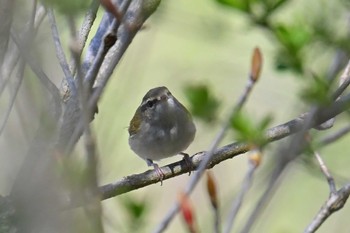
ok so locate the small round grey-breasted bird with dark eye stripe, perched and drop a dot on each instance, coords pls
(161, 127)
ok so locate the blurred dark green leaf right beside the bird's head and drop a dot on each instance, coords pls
(203, 104)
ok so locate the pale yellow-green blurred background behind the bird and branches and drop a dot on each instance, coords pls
(200, 42)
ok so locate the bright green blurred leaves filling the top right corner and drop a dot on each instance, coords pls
(294, 41)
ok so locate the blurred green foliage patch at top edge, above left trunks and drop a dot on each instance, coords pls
(70, 7)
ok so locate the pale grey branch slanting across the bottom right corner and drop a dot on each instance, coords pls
(335, 202)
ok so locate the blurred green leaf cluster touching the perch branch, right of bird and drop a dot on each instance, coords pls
(250, 131)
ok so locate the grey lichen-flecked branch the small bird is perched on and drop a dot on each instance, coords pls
(149, 177)
